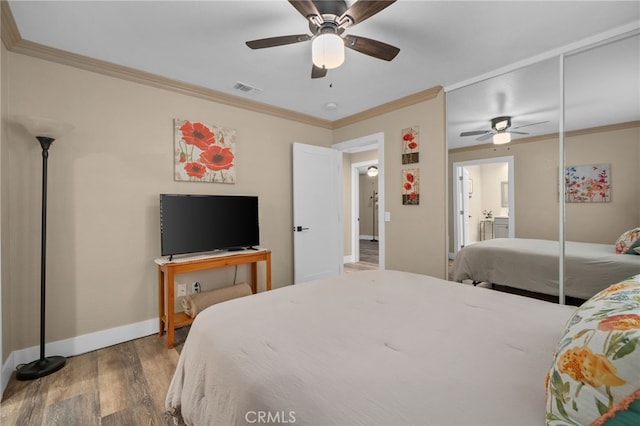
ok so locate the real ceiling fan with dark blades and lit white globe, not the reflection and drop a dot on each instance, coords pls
(328, 20)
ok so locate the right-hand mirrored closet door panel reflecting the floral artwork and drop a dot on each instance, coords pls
(602, 153)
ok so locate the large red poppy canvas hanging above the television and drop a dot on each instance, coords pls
(204, 152)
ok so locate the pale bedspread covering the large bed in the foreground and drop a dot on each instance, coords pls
(367, 348)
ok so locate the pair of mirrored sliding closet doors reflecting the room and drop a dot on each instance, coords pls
(516, 249)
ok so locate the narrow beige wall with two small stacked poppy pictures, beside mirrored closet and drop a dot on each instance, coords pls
(415, 236)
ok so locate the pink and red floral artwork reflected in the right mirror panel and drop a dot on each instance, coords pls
(587, 184)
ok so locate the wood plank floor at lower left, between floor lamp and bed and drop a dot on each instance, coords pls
(124, 384)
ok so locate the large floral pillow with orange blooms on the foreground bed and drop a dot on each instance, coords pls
(595, 375)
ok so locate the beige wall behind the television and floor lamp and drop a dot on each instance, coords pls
(104, 182)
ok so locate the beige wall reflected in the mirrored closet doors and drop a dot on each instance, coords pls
(536, 183)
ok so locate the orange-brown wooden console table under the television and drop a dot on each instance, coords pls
(167, 270)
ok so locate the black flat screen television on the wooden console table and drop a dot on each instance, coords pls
(201, 223)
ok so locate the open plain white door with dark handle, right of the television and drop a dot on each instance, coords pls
(317, 211)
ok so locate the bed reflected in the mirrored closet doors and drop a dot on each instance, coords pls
(532, 265)
